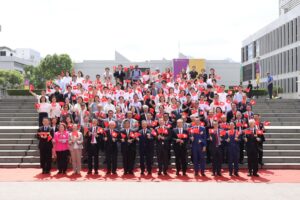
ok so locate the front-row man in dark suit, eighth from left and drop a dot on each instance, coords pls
(163, 145)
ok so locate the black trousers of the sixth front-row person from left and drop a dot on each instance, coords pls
(128, 154)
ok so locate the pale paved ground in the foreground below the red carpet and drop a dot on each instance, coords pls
(144, 191)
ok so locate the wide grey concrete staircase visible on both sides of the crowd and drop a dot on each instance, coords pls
(18, 125)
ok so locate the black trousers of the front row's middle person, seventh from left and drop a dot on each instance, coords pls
(146, 156)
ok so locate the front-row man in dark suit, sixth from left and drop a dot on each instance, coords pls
(128, 147)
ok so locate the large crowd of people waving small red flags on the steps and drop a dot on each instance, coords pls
(152, 116)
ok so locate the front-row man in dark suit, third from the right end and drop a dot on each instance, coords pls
(216, 149)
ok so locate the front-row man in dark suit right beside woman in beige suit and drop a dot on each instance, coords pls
(93, 143)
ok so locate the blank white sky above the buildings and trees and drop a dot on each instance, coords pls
(138, 29)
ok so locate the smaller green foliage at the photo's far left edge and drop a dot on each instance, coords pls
(11, 79)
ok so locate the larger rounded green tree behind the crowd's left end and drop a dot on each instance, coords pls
(48, 69)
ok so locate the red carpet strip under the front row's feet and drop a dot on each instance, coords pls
(266, 176)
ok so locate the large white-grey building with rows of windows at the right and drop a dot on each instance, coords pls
(276, 49)
